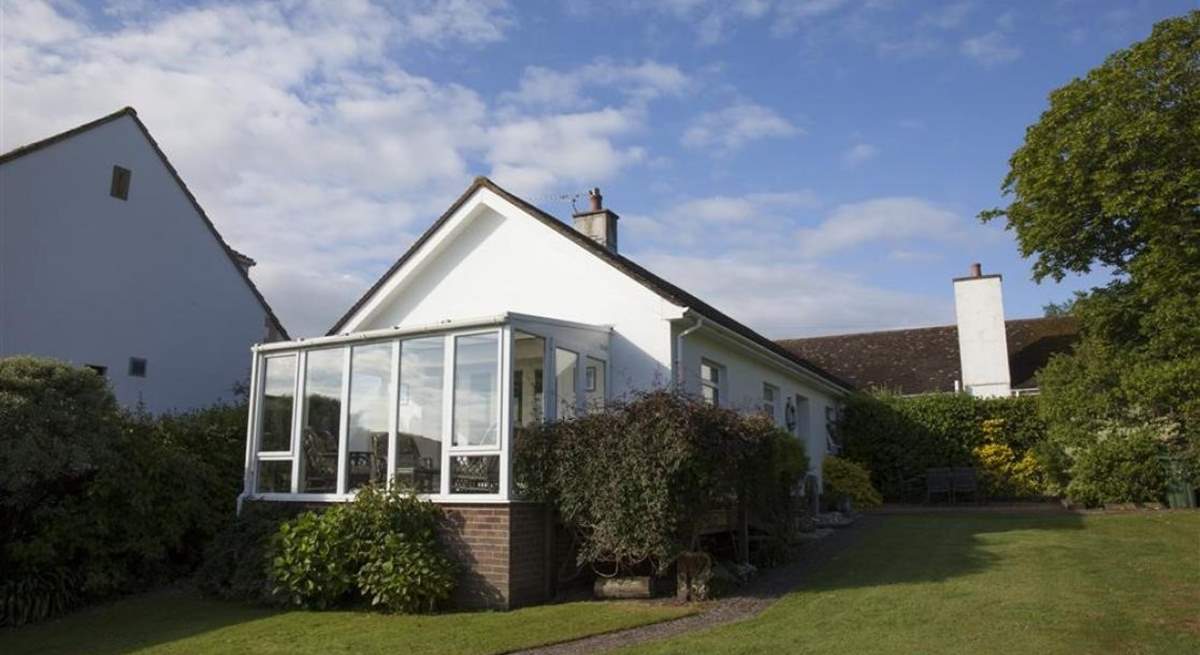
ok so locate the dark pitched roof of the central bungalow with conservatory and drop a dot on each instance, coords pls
(659, 286)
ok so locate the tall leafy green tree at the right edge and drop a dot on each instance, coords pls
(1109, 178)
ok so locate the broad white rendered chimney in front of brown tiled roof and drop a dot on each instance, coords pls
(983, 347)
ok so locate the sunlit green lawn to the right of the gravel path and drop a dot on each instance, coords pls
(1097, 584)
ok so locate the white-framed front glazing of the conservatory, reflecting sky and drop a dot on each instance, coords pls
(406, 410)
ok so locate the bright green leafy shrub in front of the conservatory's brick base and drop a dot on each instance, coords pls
(382, 548)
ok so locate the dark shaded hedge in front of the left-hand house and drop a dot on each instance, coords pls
(95, 501)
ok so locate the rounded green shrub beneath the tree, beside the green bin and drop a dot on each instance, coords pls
(1123, 466)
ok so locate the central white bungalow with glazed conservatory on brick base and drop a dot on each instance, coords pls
(501, 316)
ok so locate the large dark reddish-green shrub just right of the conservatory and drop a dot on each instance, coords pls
(637, 482)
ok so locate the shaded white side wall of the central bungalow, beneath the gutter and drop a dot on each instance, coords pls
(742, 389)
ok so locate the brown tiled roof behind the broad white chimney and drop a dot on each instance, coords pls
(927, 359)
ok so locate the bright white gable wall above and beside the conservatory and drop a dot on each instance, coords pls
(494, 260)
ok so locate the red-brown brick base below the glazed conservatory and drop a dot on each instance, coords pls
(502, 551)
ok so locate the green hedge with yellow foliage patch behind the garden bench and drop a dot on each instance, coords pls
(899, 437)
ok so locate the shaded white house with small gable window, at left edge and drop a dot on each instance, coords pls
(107, 261)
